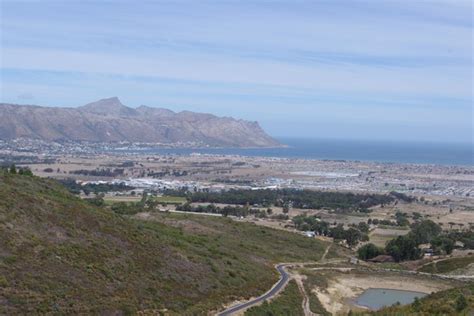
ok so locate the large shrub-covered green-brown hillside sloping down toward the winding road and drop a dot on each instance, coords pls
(59, 254)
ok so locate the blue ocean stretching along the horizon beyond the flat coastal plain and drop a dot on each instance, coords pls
(324, 149)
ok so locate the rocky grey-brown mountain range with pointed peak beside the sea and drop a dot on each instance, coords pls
(108, 120)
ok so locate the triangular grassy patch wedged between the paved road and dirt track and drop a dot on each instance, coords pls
(287, 303)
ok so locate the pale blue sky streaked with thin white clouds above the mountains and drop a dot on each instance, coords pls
(377, 70)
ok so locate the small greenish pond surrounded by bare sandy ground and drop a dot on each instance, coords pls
(378, 298)
